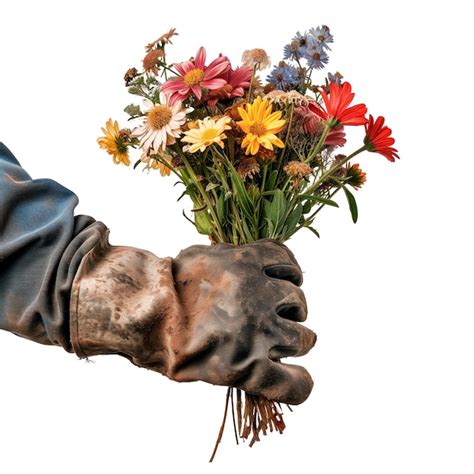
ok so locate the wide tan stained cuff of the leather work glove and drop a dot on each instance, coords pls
(122, 301)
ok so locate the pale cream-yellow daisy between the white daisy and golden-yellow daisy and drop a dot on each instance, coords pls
(208, 131)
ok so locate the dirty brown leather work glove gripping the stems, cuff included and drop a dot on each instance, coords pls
(222, 314)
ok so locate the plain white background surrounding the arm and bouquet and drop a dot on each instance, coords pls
(390, 297)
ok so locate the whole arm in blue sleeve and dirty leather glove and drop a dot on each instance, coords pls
(222, 314)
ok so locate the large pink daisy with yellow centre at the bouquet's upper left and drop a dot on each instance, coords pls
(194, 75)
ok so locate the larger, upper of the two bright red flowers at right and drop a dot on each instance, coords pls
(337, 111)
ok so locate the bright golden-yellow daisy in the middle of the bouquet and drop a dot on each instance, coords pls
(260, 126)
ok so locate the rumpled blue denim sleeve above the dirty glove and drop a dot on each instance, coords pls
(41, 246)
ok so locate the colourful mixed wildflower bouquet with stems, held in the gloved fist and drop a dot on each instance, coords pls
(257, 158)
